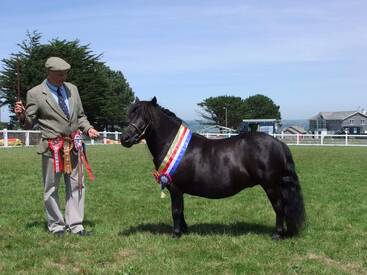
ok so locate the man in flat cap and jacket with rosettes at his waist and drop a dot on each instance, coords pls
(56, 107)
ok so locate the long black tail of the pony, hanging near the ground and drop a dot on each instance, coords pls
(294, 208)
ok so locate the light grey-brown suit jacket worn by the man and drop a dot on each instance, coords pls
(43, 109)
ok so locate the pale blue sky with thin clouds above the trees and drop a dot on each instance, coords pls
(307, 56)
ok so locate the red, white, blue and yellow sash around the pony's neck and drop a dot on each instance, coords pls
(173, 157)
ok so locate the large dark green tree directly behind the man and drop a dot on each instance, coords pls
(105, 93)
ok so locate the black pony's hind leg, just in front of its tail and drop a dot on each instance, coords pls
(275, 197)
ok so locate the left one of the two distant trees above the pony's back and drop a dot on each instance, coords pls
(215, 110)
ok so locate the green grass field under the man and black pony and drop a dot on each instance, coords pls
(132, 225)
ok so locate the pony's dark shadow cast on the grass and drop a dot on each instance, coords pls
(235, 229)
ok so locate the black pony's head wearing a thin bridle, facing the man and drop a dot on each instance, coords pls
(139, 120)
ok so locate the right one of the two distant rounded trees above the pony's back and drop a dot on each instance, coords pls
(260, 107)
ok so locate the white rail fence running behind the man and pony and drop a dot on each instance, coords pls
(10, 138)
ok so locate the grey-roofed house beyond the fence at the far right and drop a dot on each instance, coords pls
(352, 122)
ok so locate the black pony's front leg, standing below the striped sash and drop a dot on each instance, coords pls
(177, 204)
